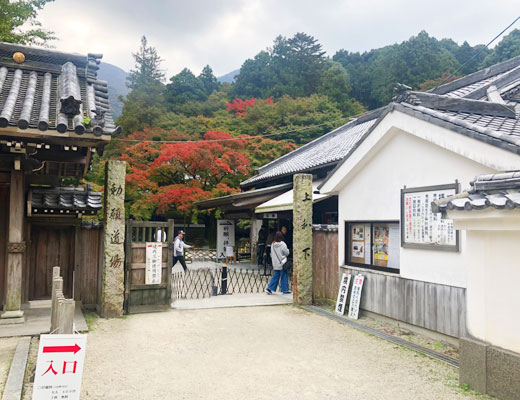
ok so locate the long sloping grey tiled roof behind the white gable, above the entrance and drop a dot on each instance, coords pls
(326, 150)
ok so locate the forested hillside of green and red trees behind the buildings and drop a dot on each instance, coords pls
(194, 137)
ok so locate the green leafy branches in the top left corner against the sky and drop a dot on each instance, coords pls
(15, 14)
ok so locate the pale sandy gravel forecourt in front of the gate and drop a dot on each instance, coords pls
(277, 352)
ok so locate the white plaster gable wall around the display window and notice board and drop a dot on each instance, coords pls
(372, 193)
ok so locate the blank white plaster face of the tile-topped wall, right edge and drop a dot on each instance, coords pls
(493, 295)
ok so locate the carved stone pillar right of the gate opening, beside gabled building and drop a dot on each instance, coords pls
(302, 239)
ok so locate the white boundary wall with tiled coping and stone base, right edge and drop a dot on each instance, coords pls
(489, 213)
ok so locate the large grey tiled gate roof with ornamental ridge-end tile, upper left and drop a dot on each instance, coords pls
(49, 90)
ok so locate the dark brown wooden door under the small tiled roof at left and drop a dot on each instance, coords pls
(50, 246)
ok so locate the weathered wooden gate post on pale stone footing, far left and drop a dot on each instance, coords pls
(15, 251)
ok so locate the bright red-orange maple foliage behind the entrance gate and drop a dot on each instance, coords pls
(180, 174)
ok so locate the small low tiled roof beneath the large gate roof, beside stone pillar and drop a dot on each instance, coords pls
(64, 200)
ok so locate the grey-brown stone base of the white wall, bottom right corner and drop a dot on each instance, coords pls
(489, 370)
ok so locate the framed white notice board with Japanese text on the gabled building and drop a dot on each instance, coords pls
(420, 227)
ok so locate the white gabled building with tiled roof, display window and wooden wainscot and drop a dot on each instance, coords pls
(419, 149)
